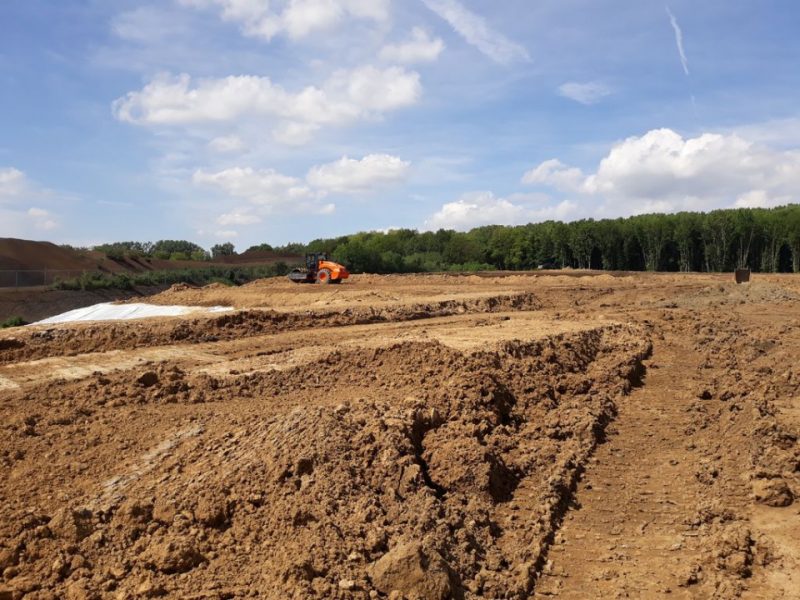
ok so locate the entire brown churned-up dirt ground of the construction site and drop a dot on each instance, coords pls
(578, 435)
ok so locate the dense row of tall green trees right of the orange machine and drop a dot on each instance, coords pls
(766, 240)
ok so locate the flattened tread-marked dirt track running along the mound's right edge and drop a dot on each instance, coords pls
(627, 535)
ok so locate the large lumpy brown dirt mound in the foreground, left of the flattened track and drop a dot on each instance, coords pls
(423, 473)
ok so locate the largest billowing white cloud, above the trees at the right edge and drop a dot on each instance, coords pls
(662, 171)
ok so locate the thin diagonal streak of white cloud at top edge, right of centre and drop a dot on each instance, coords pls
(474, 29)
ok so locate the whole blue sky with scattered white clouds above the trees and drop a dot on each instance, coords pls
(270, 121)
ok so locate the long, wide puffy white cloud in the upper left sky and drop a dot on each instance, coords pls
(347, 96)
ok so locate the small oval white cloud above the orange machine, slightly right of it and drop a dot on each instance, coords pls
(349, 175)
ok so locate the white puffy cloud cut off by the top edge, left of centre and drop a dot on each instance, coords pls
(297, 19)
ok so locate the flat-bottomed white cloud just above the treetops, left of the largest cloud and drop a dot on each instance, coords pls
(484, 208)
